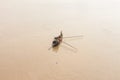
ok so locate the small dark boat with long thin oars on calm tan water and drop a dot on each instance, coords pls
(59, 39)
